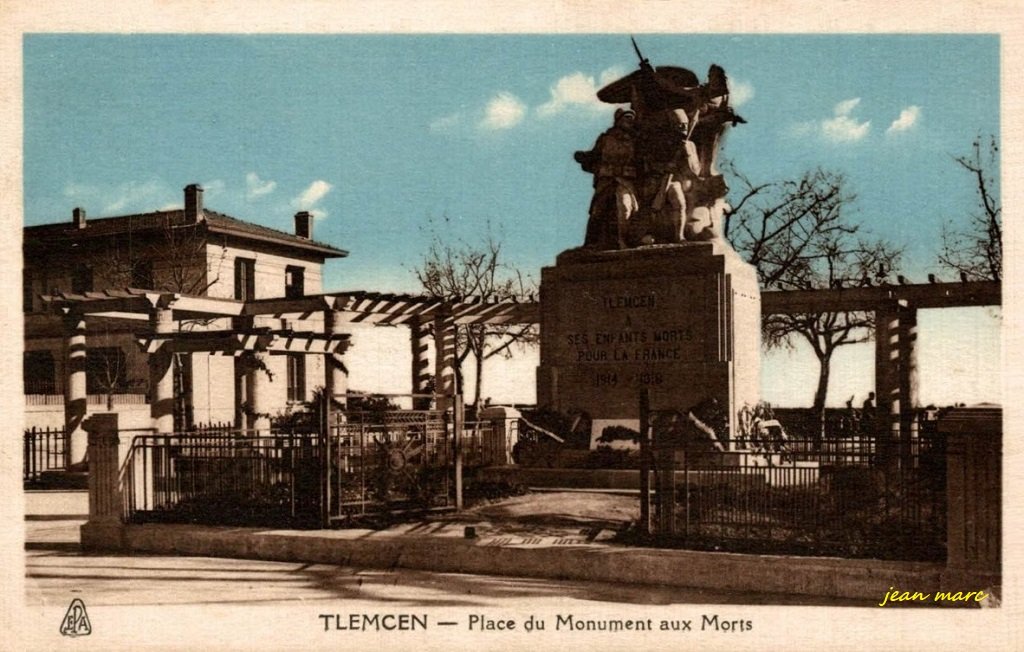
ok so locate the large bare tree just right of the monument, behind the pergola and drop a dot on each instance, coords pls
(798, 236)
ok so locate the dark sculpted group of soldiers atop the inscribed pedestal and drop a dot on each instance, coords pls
(656, 180)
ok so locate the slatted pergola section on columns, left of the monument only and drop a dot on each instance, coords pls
(159, 312)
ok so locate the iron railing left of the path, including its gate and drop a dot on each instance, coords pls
(219, 474)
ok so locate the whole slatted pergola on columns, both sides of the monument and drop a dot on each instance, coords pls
(895, 309)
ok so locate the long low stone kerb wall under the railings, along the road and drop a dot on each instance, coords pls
(863, 580)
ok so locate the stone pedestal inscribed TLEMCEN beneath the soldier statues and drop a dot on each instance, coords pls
(682, 321)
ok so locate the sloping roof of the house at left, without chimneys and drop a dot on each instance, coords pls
(216, 224)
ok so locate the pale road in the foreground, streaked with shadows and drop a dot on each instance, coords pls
(58, 571)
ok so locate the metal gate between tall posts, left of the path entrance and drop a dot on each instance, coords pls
(391, 461)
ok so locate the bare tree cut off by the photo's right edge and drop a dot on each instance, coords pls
(974, 249)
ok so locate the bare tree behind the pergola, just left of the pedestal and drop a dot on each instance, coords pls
(463, 271)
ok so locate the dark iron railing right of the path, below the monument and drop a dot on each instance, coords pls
(805, 498)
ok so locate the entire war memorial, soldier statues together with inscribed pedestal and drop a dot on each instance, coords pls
(656, 298)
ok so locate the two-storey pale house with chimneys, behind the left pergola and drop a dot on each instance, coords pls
(192, 252)
